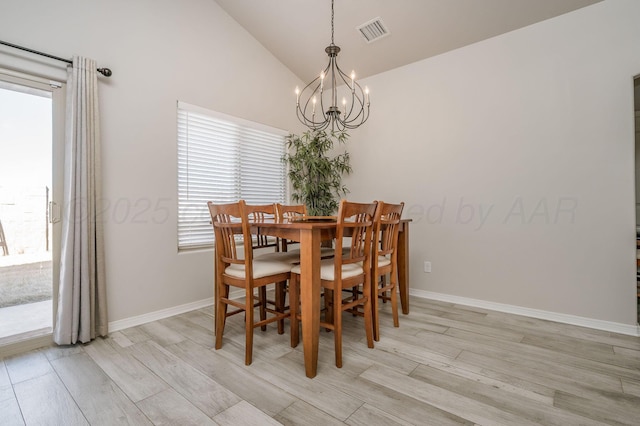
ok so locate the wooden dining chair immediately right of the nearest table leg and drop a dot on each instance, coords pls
(342, 272)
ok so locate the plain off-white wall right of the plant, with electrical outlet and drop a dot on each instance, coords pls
(515, 158)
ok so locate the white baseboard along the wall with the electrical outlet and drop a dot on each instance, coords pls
(614, 327)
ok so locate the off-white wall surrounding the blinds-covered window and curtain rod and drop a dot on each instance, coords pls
(160, 51)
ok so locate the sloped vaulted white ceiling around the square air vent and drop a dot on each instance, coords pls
(297, 31)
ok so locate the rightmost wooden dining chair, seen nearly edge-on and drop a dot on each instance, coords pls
(385, 261)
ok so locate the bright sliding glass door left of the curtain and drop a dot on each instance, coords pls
(31, 152)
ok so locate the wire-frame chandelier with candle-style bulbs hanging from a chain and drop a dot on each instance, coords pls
(333, 98)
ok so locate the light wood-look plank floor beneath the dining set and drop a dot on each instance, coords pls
(446, 364)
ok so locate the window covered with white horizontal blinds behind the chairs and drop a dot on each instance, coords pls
(223, 159)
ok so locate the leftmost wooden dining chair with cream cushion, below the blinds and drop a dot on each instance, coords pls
(238, 268)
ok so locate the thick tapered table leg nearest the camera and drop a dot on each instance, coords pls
(310, 297)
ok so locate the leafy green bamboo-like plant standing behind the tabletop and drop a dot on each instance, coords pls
(316, 178)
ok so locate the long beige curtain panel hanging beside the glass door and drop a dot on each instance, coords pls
(82, 301)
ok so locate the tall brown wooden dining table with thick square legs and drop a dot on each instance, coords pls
(310, 232)
